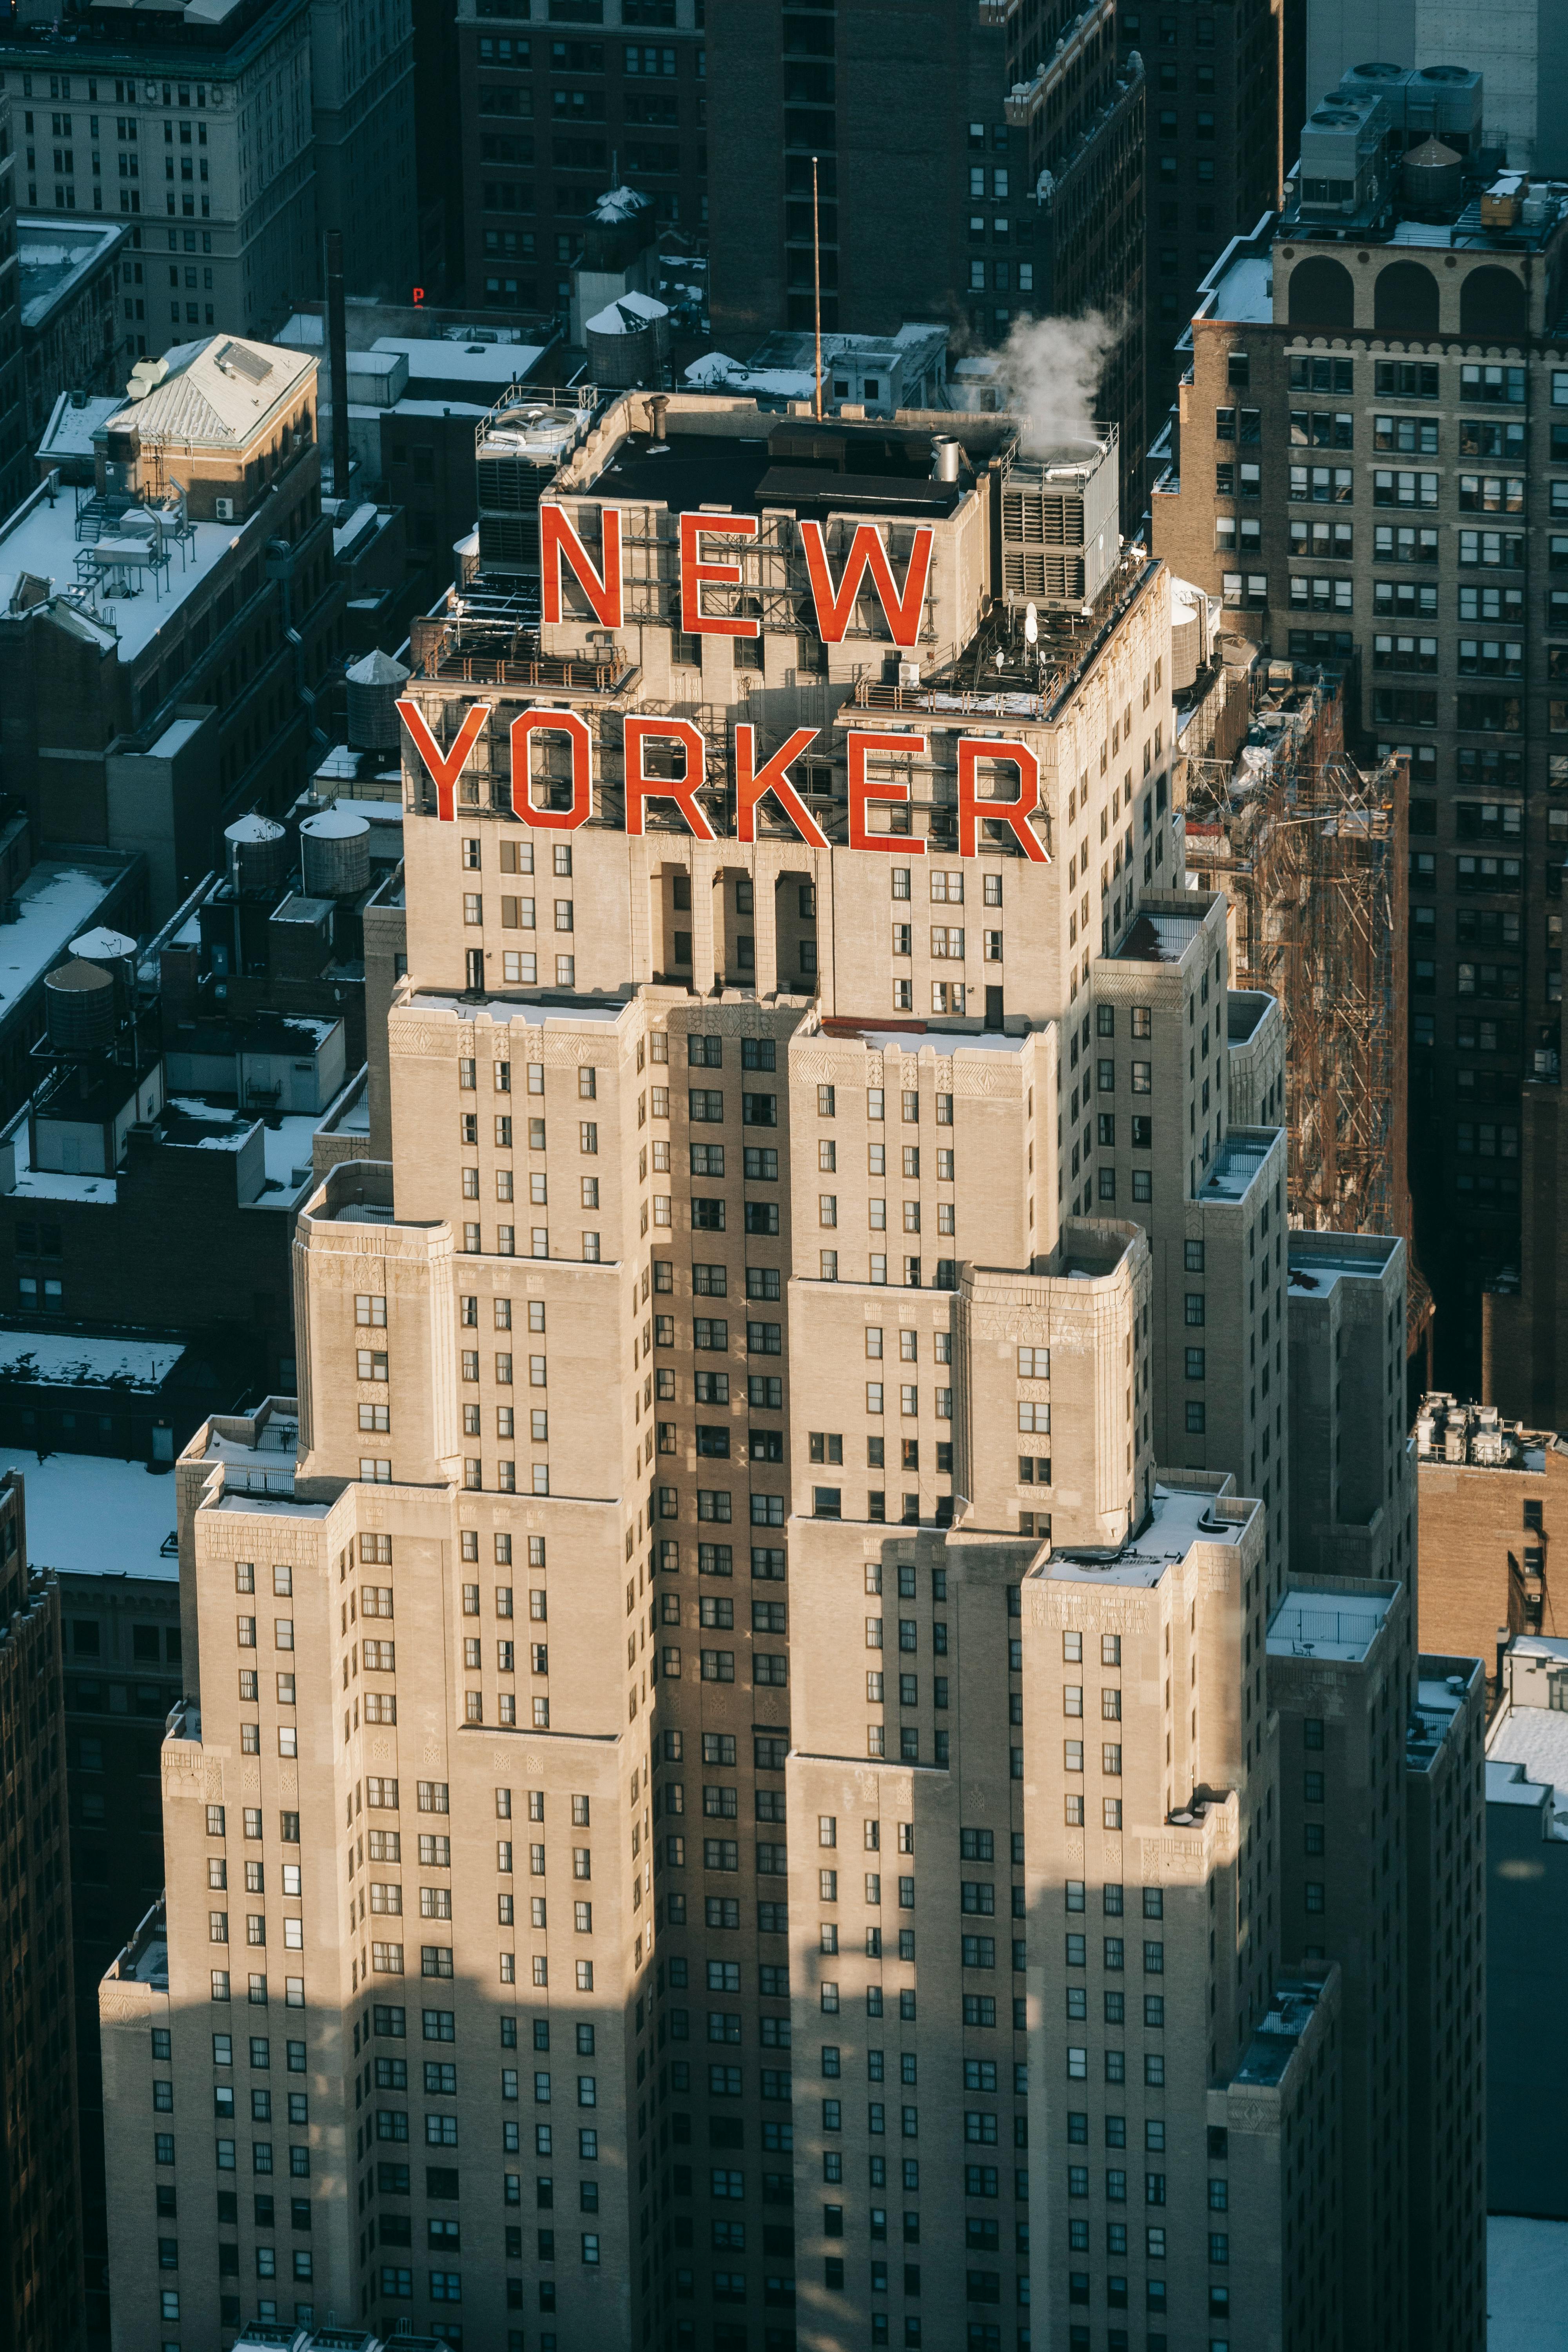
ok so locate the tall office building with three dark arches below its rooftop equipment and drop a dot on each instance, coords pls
(1367, 476)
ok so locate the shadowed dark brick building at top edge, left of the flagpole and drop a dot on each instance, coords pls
(558, 112)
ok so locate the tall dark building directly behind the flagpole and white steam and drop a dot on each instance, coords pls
(977, 166)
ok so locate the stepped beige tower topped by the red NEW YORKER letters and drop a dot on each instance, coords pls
(782, 1833)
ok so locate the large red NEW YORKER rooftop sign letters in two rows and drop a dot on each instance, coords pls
(753, 782)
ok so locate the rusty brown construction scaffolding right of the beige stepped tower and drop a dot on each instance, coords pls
(1311, 853)
